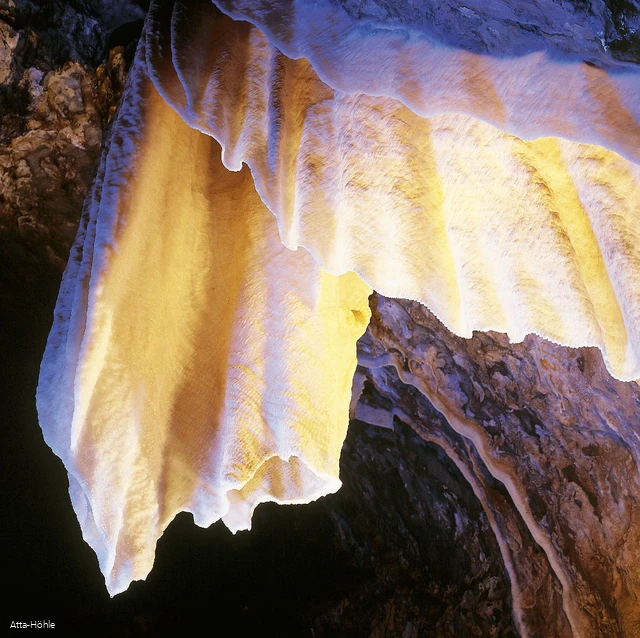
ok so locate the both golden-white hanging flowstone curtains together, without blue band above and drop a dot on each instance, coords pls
(204, 343)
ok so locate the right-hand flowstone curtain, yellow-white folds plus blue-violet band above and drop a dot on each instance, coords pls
(490, 232)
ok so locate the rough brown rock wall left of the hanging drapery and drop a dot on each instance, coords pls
(54, 104)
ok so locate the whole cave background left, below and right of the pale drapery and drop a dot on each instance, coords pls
(534, 496)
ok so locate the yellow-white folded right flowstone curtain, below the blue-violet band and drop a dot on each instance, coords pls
(490, 231)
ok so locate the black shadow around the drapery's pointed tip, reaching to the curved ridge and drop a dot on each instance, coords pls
(384, 552)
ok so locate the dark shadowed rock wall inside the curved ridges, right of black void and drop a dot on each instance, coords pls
(419, 566)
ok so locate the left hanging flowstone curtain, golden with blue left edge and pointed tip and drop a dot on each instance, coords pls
(172, 379)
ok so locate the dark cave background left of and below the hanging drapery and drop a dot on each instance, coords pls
(403, 549)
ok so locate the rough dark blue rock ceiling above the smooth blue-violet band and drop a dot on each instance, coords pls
(589, 28)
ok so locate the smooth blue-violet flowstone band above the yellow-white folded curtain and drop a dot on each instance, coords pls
(527, 82)
